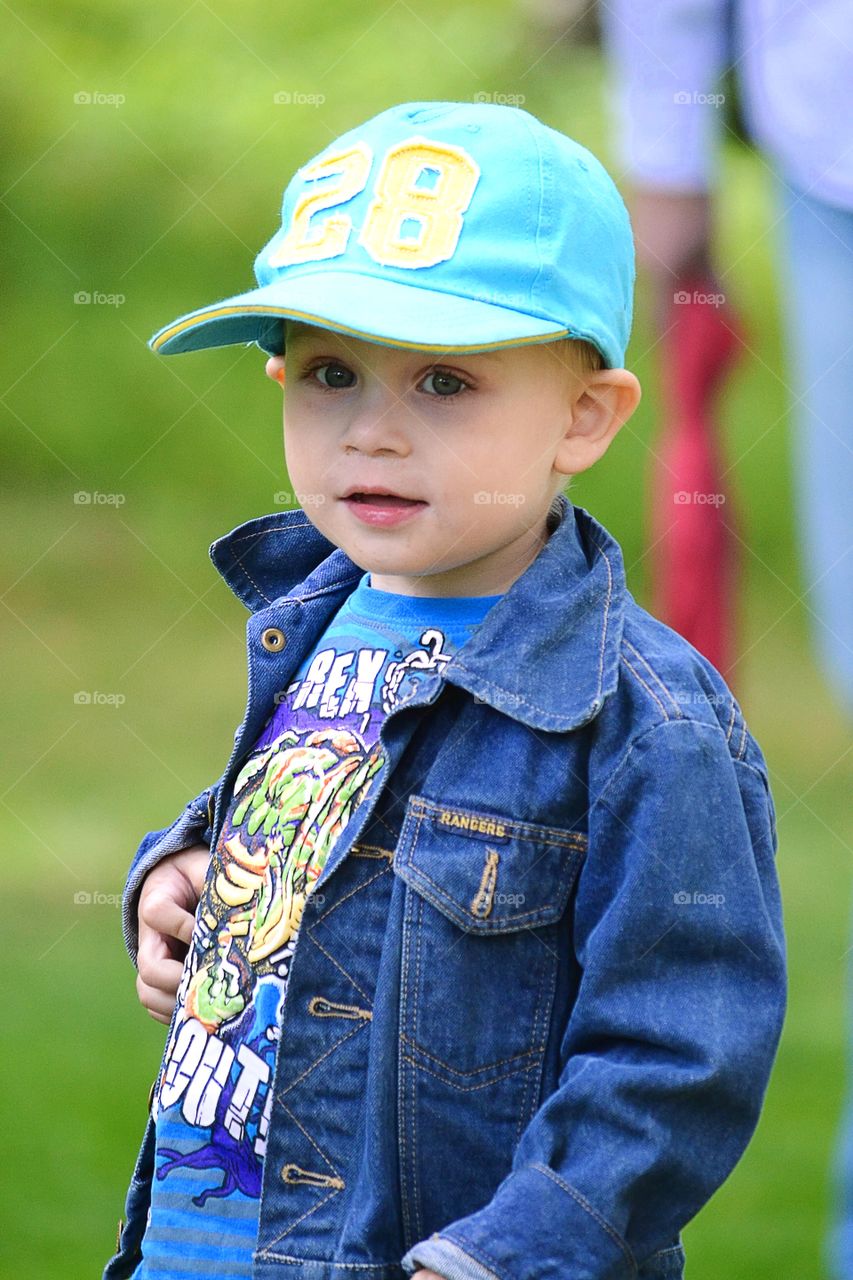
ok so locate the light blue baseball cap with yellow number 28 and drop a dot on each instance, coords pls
(440, 226)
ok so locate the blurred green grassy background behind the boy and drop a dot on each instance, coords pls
(153, 204)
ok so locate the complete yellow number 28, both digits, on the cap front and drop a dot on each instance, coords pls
(437, 211)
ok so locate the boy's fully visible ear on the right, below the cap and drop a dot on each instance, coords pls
(604, 404)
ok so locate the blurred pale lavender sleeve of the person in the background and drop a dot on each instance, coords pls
(665, 62)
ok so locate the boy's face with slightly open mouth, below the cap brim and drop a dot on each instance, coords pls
(477, 444)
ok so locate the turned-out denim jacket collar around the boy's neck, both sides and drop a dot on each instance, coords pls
(548, 653)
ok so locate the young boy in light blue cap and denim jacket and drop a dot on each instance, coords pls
(485, 963)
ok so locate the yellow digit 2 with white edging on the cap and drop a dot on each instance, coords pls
(352, 170)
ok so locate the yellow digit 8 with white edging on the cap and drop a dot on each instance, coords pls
(439, 209)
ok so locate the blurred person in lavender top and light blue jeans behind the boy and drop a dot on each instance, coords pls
(793, 66)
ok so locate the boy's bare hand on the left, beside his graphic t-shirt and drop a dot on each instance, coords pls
(170, 897)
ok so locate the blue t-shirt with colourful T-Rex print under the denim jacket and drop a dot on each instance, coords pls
(312, 767)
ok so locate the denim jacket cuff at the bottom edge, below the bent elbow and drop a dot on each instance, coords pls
(537, 1227)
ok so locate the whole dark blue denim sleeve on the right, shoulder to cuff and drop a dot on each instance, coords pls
(670, 1044)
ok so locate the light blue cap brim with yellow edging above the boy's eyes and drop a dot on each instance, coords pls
(370, 308)
